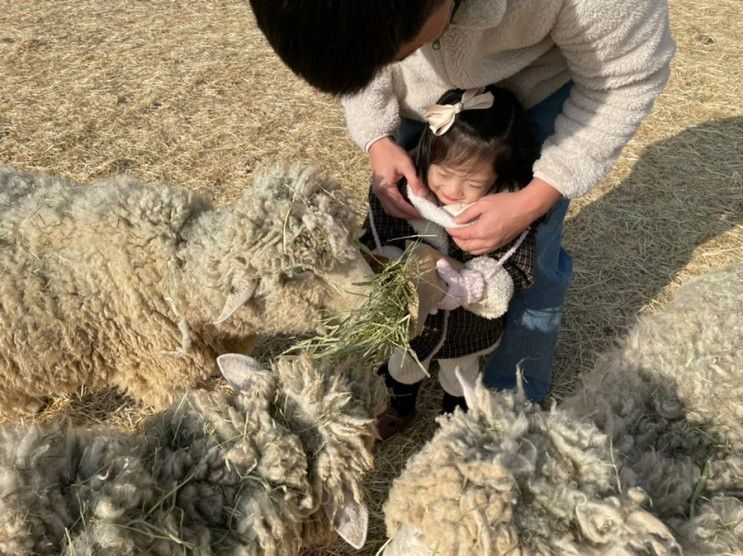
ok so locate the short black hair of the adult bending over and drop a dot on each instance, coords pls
(339, 46)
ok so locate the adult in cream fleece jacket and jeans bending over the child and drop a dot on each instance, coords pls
(587, 71)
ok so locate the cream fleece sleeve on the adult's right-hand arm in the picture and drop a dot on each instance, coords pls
(619, 55)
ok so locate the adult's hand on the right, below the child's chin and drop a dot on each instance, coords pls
(498, 219)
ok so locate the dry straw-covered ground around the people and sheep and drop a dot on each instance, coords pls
(188, 94)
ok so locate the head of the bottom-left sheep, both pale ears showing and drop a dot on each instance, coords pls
(330, 408)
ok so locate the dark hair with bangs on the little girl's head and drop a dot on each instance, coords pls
(500, 133)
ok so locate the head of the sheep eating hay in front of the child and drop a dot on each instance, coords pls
(284, 253)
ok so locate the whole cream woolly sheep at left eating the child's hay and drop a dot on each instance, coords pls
(141, 287)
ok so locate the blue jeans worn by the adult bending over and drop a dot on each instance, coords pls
(533, 318)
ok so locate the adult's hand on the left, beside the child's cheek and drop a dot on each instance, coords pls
(389, 164)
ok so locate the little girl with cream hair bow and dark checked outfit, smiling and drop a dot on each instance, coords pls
(477, 143)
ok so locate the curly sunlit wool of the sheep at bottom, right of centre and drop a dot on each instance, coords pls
(507, 478)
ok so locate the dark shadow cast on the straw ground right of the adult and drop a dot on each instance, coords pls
(631, 244)
